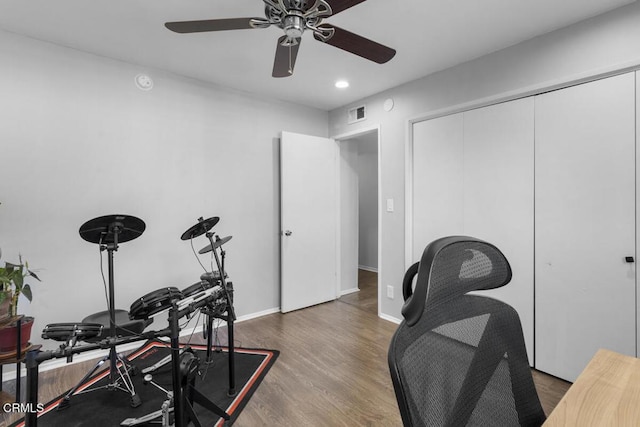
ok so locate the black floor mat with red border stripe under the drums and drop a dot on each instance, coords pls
(104, 407)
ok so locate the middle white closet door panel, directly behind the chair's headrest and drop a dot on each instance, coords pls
(498, 195)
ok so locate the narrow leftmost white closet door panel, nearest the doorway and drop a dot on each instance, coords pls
(437, 181)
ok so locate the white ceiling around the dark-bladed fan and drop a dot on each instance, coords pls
(428, 35)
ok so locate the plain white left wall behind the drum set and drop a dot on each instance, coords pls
(78, 140)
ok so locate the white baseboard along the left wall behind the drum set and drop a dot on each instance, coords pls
(96, 354)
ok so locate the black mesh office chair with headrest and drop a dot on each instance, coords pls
(459, 359)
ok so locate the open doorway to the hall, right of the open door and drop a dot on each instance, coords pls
(359, 220)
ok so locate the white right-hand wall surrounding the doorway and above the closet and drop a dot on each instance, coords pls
(598, 45)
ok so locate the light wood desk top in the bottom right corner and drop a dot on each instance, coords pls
(607, 393)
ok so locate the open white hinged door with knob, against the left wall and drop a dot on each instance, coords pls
(309, 191)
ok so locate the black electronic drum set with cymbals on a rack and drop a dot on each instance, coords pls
(212, 296)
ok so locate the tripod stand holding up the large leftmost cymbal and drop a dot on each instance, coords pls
(119, 378)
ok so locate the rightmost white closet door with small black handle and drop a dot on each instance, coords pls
(584, 224)
